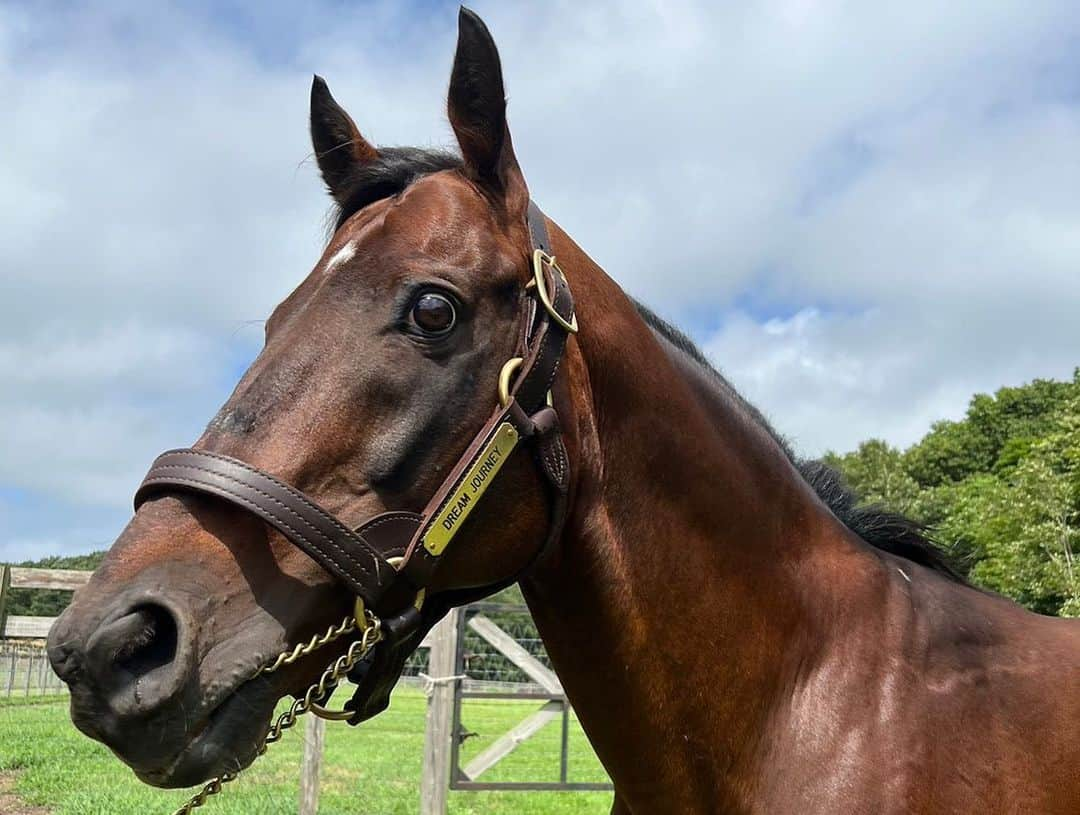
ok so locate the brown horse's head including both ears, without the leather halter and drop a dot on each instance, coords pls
(376, 374)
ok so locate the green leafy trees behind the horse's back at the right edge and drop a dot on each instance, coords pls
(1002, 490)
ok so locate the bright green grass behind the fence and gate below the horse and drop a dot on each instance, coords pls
(371, 770)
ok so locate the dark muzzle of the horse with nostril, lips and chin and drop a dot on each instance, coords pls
(133, 669)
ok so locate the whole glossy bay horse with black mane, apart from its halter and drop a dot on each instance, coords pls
(736, 635)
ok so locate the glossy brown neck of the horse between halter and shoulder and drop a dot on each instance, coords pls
(694, 560)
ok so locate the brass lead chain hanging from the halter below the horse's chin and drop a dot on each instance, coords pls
(319, 692)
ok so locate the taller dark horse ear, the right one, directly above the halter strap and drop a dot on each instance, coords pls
(478, 111)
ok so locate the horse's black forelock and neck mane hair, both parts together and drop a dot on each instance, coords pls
(398, 168)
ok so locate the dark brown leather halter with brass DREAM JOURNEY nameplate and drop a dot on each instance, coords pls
(390, 559)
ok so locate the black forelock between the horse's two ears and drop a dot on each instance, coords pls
(396, 169)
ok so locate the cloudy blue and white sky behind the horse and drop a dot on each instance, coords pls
(865, 213)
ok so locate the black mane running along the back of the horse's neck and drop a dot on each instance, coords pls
(881, 528)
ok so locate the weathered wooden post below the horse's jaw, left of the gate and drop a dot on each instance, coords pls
(436, 776)
